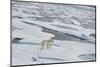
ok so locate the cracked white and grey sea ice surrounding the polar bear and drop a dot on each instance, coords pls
(72, 28)
